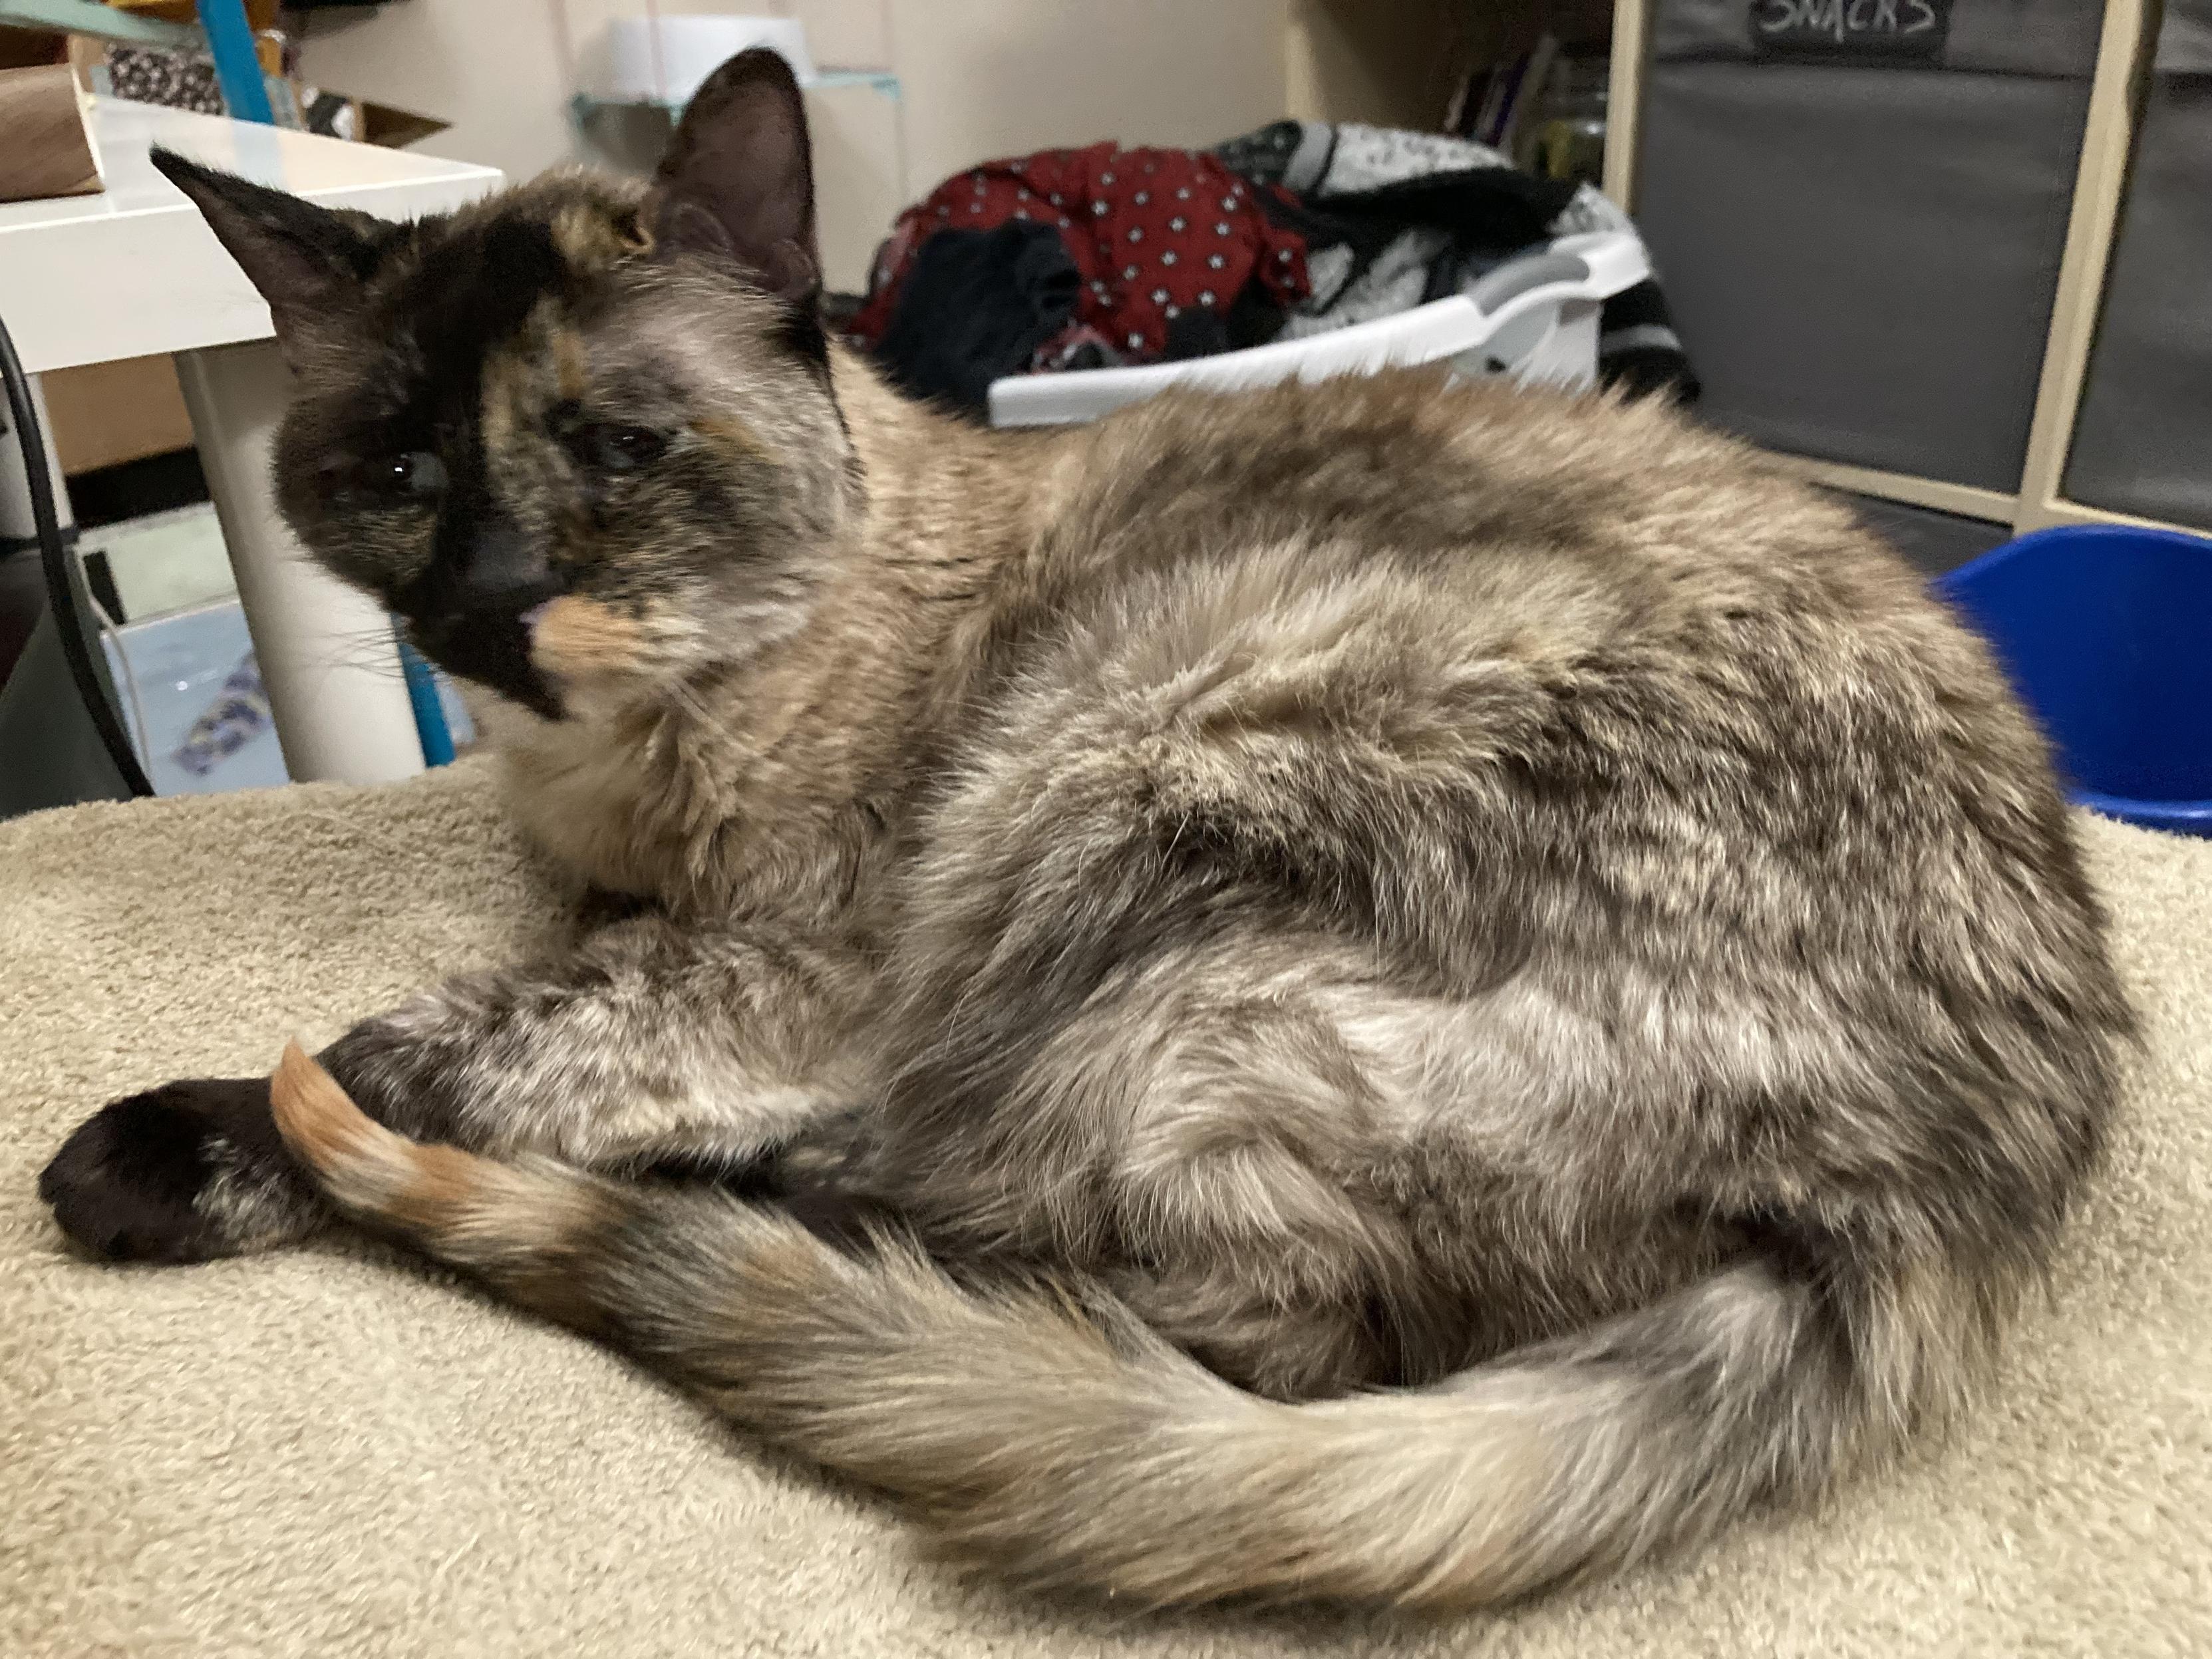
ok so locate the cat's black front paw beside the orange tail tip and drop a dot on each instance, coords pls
(180, 1173)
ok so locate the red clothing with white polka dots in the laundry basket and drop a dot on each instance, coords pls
(1154, 233)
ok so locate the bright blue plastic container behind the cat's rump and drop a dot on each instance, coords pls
(2107, 634)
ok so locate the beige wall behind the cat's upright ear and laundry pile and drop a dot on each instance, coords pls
(979, 79)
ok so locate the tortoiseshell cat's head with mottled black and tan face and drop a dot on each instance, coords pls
(578, 437)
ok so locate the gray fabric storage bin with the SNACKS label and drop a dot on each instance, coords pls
(1861, 251)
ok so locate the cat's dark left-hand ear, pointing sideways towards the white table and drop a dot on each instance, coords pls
(304, 260)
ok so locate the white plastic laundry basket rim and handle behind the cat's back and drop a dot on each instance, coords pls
(1534, 317)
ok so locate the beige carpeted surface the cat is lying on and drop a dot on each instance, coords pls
(331, 1452)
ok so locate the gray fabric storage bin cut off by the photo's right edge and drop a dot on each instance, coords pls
(2145, 435)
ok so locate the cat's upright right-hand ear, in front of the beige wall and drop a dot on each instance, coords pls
(738, 178)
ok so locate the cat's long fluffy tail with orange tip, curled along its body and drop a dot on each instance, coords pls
(1065, 1448)
